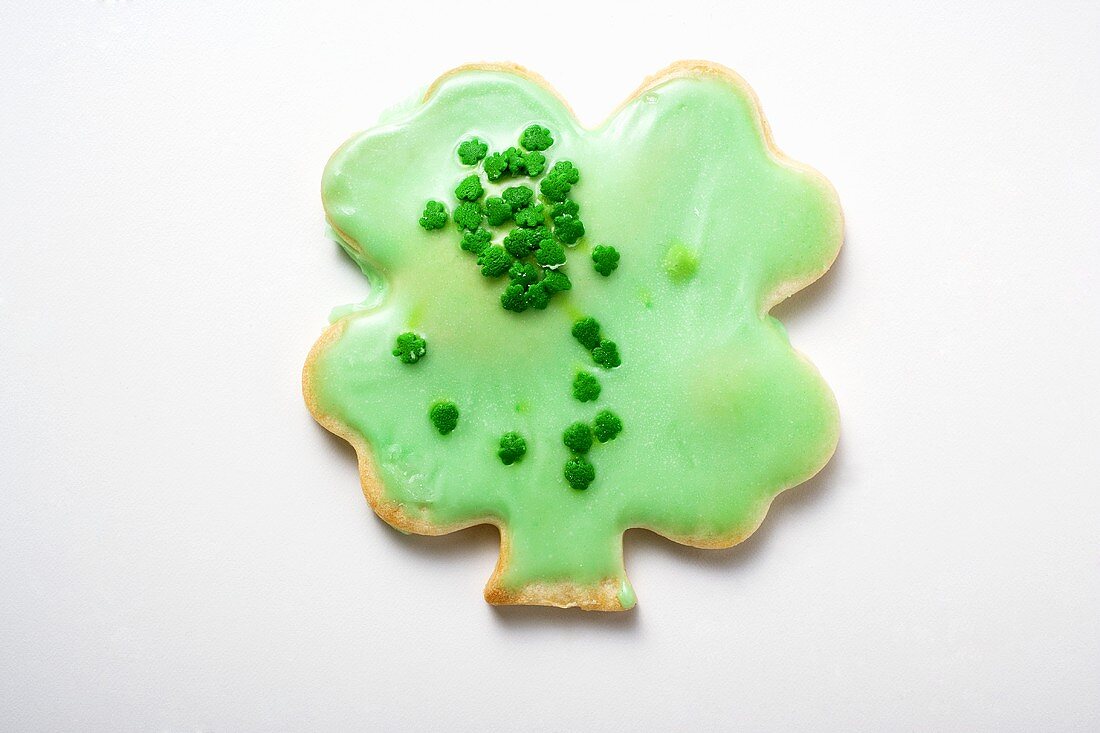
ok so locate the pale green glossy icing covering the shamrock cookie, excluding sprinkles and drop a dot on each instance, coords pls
(720, 412)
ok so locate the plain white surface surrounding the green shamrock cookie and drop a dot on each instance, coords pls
(183, 549)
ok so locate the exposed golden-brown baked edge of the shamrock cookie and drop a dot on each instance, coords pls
(606, 595)
